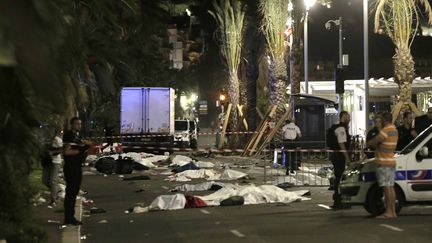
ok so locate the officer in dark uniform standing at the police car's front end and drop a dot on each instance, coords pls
(338, 140)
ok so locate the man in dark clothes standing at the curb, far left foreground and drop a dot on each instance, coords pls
(75, 153)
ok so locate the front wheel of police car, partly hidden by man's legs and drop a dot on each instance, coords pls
(375, 203)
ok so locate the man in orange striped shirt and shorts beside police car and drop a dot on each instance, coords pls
(385, 144)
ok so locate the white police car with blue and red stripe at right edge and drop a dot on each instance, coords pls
(413, 181)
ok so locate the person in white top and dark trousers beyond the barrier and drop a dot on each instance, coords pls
(290, 133)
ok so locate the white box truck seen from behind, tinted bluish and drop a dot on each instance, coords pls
(147, 119)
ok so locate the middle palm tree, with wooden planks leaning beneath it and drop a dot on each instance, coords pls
(274, 17)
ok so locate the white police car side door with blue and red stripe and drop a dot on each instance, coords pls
(418, 172)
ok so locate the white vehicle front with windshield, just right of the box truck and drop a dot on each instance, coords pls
(185, 133)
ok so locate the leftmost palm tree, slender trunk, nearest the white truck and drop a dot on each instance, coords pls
(229, 15)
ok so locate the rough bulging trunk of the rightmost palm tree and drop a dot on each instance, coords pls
(404, 75)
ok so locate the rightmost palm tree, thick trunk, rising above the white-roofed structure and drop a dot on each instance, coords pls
(399, 19)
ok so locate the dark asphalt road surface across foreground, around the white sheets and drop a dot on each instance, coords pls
(307, 221)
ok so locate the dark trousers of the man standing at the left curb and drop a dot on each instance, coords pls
(73, 176)
